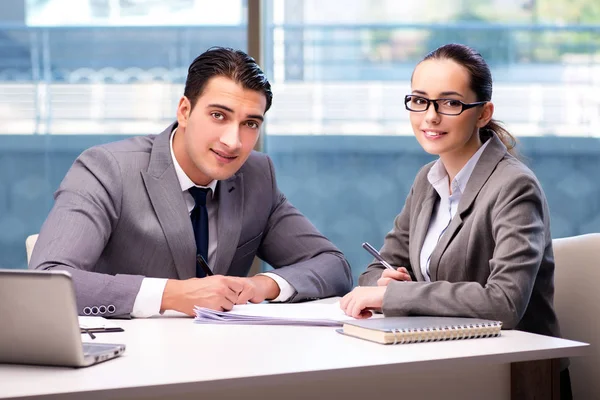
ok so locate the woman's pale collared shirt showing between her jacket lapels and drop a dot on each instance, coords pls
(444, 209)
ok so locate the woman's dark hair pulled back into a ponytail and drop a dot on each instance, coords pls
(481, 82)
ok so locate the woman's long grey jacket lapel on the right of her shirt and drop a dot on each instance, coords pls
(492, 155)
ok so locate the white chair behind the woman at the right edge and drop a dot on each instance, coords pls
(577, 303)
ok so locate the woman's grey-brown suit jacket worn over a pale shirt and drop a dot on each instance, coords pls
(494, 261)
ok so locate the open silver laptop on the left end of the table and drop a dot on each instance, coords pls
(40, 324)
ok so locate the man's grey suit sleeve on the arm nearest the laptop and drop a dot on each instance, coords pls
(86, 210)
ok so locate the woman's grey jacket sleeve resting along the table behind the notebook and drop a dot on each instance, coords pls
(520, 234)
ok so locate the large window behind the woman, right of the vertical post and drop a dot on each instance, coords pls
(340, 137)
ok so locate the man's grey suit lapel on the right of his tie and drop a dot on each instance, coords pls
(231, 200)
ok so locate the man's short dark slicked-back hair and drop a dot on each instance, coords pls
(233, 64)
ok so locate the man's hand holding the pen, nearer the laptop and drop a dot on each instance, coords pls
(216, 292)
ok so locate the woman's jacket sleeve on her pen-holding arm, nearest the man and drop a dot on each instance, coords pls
(395, 247)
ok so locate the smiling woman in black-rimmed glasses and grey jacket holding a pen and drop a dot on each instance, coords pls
(475, 229)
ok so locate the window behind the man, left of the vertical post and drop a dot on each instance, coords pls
(104, 70)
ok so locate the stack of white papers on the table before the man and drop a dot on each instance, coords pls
(307, 314)
